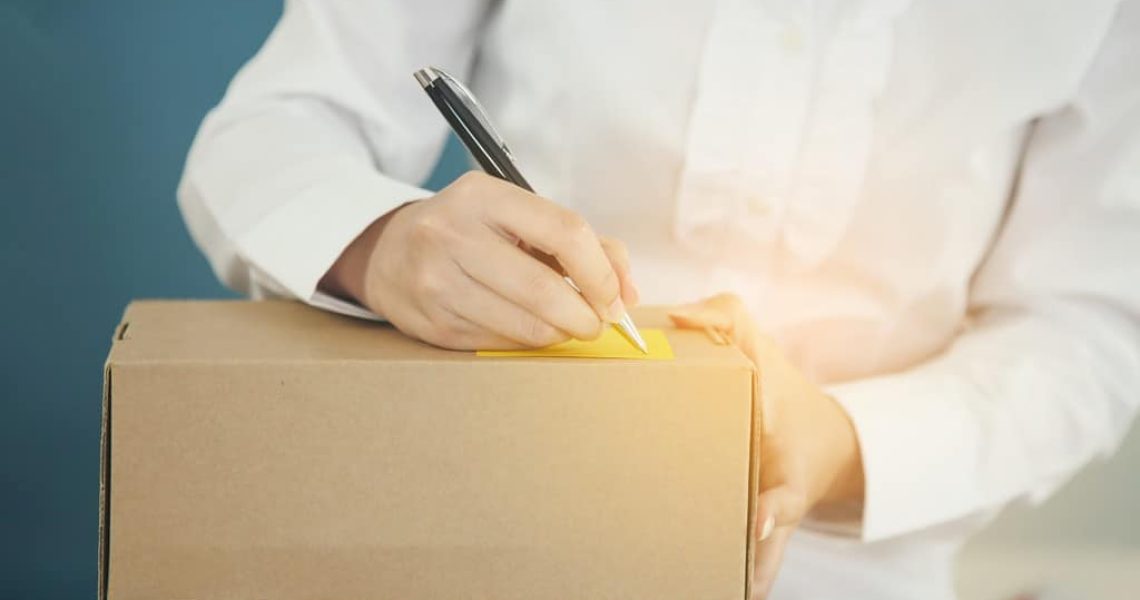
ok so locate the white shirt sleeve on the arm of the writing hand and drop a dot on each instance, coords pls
(321, 134)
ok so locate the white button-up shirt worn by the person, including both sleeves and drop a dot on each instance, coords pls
(934, 206)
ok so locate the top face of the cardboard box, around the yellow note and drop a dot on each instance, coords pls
(221, 331)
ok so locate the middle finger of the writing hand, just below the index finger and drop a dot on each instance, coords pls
(518, 278)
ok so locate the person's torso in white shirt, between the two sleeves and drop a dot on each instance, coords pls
(844, 166)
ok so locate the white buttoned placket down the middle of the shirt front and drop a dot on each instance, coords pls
(746, 126)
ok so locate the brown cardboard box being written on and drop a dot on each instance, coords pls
(268, 450)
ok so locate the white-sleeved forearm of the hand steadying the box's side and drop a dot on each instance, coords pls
(1014, 409)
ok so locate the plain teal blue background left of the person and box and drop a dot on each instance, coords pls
(100, 101)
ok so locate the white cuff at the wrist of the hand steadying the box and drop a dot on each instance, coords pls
(918, 444)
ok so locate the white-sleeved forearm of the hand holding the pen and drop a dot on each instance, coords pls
(273, 199)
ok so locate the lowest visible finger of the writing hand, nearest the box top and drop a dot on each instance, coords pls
(494, 314)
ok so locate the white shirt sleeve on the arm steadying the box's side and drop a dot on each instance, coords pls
(1047, 375)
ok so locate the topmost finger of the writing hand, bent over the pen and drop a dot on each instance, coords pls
(569, 239)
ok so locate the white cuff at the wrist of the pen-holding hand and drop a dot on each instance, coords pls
(294, 247)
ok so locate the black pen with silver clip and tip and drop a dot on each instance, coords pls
(470, 123)
